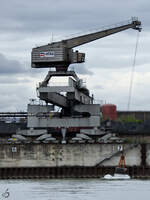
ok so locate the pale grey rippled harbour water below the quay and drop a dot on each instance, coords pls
(75, 189)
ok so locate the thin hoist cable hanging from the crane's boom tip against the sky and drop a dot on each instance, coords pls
(132, 72)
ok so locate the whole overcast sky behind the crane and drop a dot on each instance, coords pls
(109, 61)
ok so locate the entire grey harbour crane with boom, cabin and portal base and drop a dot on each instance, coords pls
(77, 107)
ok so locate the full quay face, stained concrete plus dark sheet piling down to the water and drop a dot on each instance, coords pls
(71, 160)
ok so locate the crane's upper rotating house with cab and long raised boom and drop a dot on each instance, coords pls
(60, 54)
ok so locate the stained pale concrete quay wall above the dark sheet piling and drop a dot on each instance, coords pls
(82, 155)
